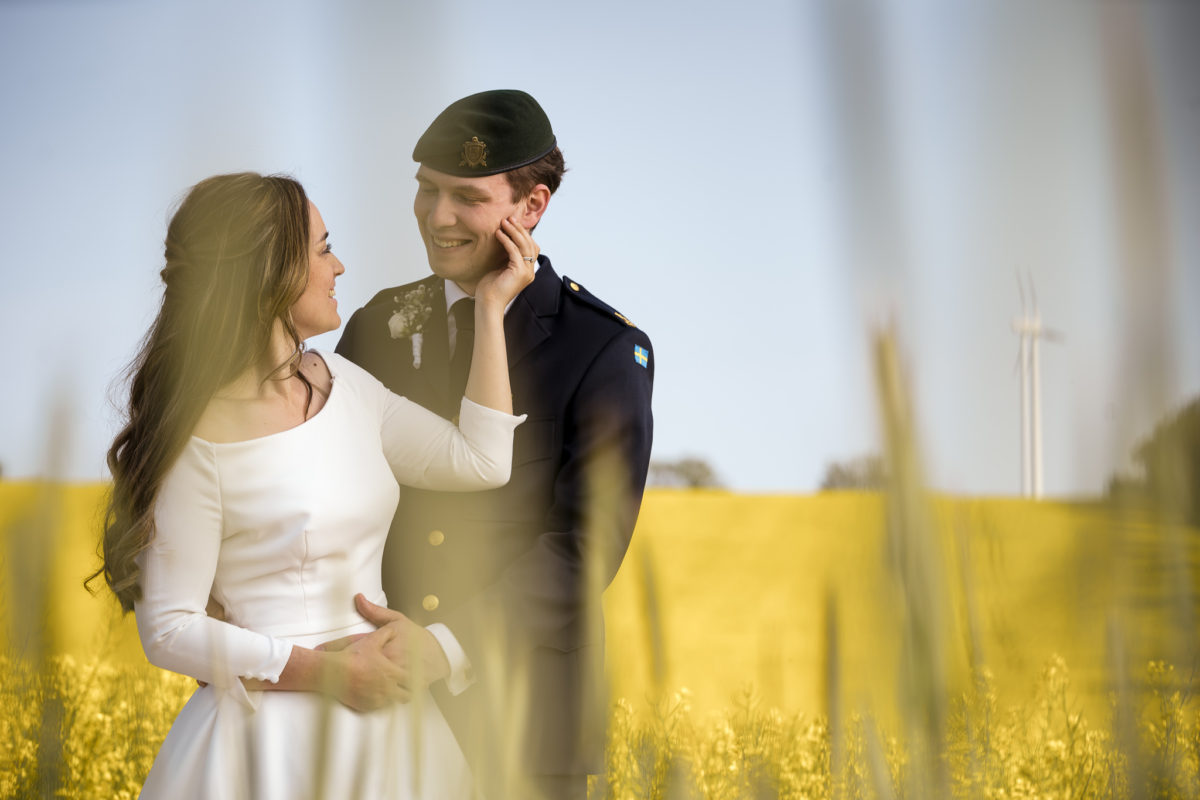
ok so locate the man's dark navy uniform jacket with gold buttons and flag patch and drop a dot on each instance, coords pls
(517, 573)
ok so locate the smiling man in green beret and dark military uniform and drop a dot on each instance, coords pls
(499, 592)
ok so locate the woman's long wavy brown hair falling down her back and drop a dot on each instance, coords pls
(237, 261)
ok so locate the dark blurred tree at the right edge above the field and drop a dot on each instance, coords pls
(1168, 470)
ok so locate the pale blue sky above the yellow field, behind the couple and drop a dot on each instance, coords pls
(758, 188)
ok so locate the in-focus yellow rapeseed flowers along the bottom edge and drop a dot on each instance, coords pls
(91, 730)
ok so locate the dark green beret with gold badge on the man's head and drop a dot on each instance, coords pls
(487, 134)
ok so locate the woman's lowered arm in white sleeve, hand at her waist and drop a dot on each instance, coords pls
(177, 633)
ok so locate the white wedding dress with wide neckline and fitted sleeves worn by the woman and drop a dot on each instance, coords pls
(283, 532)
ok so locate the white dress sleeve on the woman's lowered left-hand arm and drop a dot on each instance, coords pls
(177, 580)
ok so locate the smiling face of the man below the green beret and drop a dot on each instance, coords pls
(459, 219)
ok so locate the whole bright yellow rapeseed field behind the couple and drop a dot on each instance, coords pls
(757, 648)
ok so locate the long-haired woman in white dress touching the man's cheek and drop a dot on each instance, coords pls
(265, 478)
